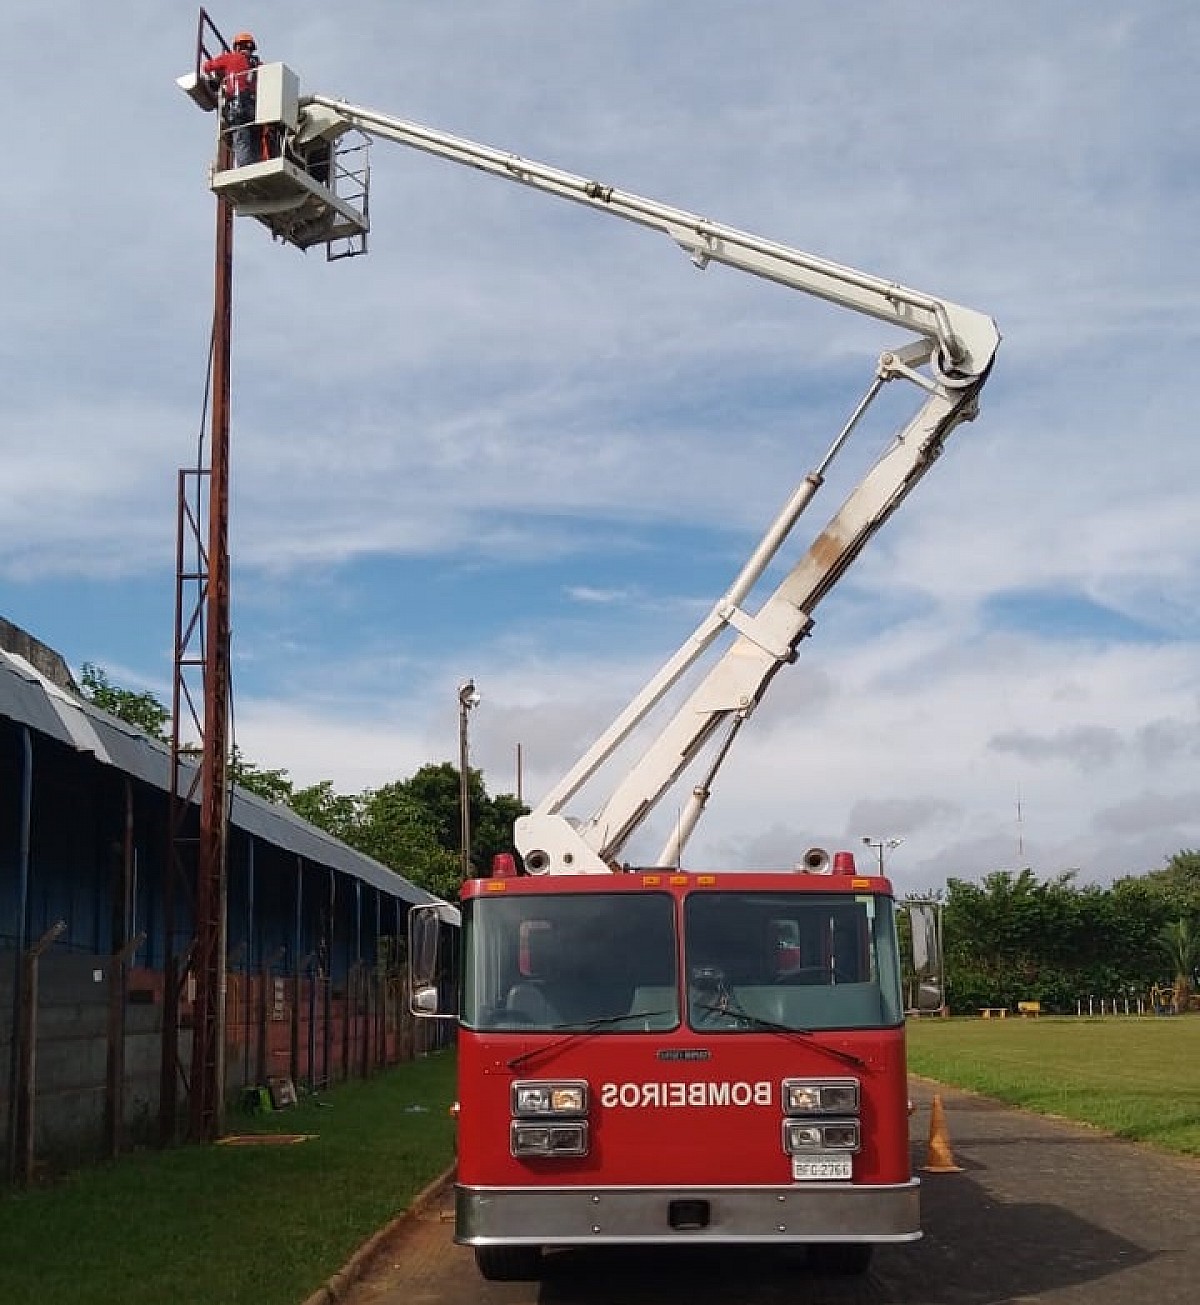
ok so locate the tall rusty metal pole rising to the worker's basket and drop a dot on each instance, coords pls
(208, 1038)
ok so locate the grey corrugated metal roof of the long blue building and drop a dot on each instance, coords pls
(31, 699)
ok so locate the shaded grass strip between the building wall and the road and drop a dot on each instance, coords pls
(235, 1225)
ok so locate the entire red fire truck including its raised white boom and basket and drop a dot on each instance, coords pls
(655, 1055)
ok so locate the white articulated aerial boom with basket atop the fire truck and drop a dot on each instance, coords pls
(949, 362)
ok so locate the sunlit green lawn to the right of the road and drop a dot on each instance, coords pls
(1134, 1077)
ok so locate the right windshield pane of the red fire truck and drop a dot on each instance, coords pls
(791, 960)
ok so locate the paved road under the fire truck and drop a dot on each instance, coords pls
(1044, 1213)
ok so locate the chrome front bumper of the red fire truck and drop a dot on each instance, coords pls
(573, 1217)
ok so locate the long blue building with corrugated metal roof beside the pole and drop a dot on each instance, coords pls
(314, 929)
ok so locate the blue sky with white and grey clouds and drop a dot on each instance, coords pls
(521, 443)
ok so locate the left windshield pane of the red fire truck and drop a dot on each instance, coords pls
(603, 961)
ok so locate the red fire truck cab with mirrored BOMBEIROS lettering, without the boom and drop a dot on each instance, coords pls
(658, 1058)
